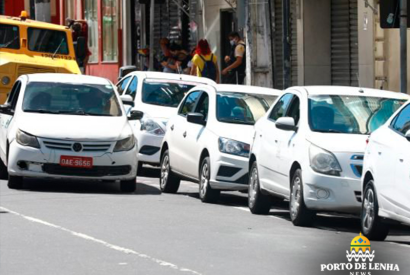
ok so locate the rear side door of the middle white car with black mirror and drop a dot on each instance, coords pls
(177, 128)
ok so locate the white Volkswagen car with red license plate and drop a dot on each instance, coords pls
(66, 126)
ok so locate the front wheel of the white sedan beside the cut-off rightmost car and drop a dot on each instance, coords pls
(300, 215)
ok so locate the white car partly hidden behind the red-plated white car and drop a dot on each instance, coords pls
(157, 95)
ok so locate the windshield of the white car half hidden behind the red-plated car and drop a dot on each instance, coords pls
(164, 93)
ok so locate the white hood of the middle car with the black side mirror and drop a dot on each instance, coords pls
(239, 132)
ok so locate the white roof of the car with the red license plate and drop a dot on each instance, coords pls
(68, 78)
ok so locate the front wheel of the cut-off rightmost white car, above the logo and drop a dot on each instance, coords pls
(372, 226)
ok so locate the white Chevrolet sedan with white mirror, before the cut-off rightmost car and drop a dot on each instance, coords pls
(309, 148)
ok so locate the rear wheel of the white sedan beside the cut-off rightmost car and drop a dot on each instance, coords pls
(258, 203)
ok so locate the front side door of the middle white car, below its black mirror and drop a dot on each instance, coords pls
(194, 133)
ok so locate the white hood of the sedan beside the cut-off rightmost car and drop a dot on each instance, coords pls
(342, 143)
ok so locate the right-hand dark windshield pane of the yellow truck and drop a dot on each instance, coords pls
(47, 41)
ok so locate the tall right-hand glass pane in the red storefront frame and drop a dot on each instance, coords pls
(110, 30)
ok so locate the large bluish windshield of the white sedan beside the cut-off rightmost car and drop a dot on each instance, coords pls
(350, 114)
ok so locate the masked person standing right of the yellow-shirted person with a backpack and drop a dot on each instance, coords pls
(236, 71)
